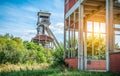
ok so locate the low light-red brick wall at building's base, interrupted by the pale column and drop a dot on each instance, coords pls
(94, 64)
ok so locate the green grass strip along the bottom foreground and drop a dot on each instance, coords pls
(58, 71)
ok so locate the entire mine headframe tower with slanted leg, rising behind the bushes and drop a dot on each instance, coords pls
(44, 36)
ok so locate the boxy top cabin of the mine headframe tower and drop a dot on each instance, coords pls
(43, 18)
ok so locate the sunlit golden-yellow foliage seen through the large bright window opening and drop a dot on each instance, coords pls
(99, 46)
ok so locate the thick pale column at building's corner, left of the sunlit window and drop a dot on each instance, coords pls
(80, 38)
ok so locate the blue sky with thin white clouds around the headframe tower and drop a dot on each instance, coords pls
(19, 17)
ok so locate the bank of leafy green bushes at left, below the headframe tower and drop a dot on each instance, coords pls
(14, 50)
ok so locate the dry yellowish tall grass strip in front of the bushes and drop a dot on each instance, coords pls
(18, 67)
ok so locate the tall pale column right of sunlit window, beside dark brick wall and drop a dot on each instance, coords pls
(109, 31)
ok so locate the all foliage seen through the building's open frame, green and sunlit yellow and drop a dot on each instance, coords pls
(99, 46)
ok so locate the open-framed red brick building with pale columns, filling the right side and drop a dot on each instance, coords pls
(85, 19)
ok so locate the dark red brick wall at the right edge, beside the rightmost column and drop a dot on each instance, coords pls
(115, 62)
